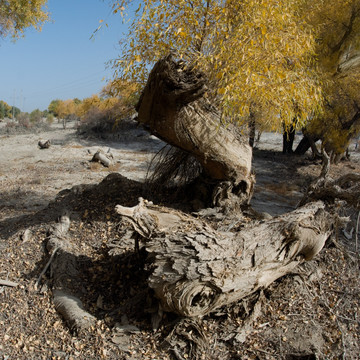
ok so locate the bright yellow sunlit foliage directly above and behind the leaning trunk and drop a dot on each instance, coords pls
(258, 55)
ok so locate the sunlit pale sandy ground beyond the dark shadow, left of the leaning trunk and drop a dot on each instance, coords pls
(31, 177)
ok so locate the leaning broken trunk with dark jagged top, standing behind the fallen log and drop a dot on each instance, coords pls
(173, 107)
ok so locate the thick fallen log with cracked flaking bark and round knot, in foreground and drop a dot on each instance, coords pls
(196, 269)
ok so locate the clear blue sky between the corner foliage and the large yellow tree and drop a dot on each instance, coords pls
(60, 62)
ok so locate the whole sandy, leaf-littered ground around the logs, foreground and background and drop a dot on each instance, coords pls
(312, 316)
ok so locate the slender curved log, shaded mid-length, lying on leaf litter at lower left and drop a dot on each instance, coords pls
(65, 274)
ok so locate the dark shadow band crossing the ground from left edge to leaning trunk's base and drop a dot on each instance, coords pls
(92, 202)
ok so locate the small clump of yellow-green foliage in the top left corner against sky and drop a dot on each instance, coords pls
(16, 16)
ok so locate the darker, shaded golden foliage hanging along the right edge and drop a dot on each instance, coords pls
(337, 27)
